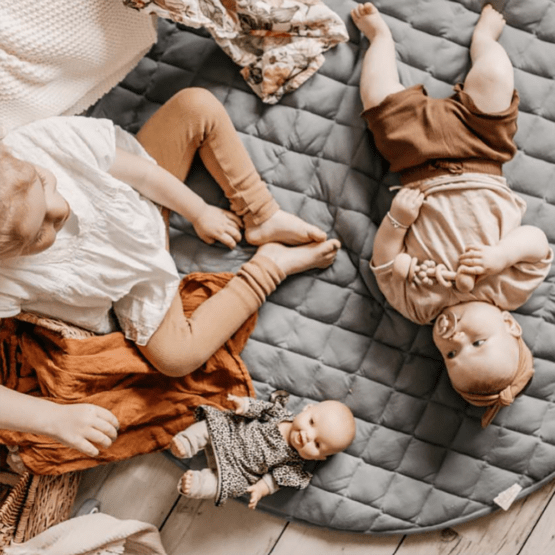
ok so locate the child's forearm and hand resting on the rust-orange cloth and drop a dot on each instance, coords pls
(78, 425)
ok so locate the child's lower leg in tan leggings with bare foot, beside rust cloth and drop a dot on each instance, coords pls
(181, 345)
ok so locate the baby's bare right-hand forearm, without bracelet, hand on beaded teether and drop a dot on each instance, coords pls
(524, 244)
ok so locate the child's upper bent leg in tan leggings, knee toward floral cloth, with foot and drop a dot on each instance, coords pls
(194, 120)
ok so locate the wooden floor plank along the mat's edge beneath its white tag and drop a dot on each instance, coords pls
(500, 533)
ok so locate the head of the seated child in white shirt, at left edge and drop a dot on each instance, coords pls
(33, 211)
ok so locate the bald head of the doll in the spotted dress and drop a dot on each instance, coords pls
(322, 429)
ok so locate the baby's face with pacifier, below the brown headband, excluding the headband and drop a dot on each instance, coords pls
(479, 345)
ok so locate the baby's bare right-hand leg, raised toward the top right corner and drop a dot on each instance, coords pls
(490, 81)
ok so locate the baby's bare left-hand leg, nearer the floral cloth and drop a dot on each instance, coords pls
(379, 76)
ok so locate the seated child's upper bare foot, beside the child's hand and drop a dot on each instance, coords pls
(284, 227)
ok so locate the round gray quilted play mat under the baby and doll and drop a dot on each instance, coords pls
(420, 460)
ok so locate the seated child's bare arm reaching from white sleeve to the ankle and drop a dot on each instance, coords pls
(154, 182)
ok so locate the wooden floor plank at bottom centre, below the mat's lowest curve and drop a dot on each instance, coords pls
(299, 539)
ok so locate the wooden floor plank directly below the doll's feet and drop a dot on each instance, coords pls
(196, 527)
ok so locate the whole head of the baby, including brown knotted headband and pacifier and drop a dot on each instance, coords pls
(486, 358)
